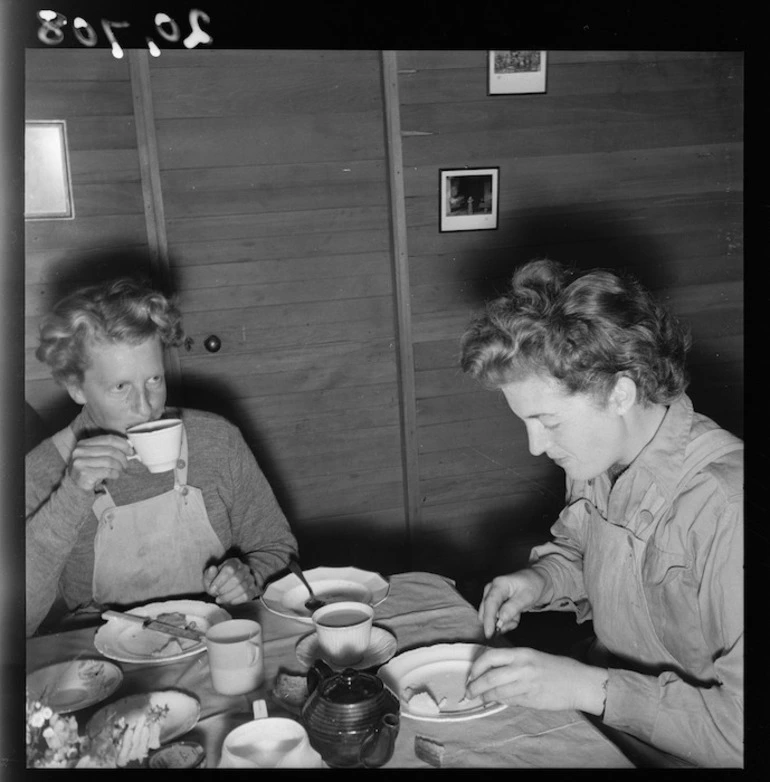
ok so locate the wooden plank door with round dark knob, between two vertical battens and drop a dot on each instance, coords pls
(275, 190)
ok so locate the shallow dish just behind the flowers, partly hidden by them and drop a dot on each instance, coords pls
(182, 716)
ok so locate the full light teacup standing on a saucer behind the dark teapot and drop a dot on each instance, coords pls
(344, 630)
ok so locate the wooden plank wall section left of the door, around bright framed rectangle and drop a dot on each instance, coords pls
(91, 91)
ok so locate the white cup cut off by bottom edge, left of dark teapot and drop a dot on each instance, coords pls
(272, 742)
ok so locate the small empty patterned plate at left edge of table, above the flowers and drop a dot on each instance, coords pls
(74, 684)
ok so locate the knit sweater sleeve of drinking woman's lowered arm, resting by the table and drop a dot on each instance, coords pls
(259, 527)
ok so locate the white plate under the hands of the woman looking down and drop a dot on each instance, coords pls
(442, 670)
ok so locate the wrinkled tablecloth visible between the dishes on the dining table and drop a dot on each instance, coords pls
(421, 609)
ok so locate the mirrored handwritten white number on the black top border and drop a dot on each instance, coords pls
(51, 31)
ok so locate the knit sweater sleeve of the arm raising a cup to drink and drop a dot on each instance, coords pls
(56, 510)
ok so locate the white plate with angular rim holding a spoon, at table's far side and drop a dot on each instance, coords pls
(287, 595)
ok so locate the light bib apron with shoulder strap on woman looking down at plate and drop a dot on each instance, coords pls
(617, 558)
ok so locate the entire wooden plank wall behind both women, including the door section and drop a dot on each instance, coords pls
(273, 175)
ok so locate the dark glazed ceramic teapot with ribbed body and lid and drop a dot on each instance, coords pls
(351, 717)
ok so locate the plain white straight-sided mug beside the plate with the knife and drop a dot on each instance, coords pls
(235, 654)
